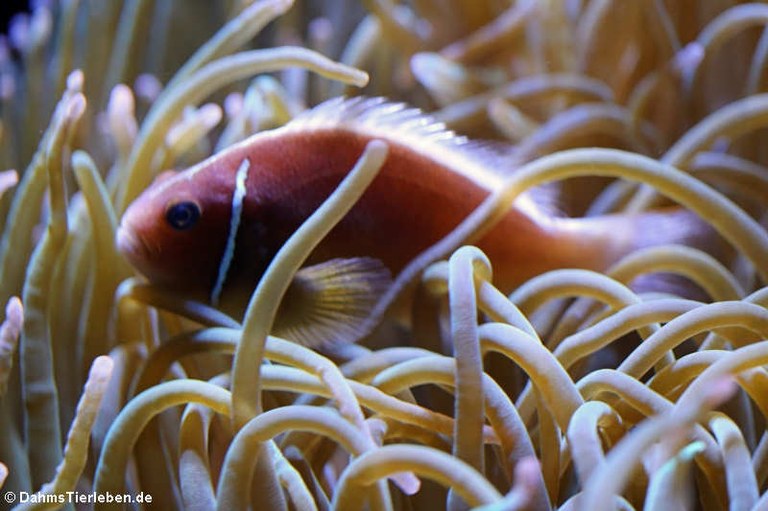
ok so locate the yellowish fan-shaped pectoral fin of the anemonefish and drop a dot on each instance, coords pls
(329, 302)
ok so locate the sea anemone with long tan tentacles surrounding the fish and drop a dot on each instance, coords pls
(580, 390)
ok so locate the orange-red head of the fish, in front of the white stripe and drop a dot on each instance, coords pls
(175, 232)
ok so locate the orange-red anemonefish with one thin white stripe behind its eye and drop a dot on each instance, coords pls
(211, 231)
